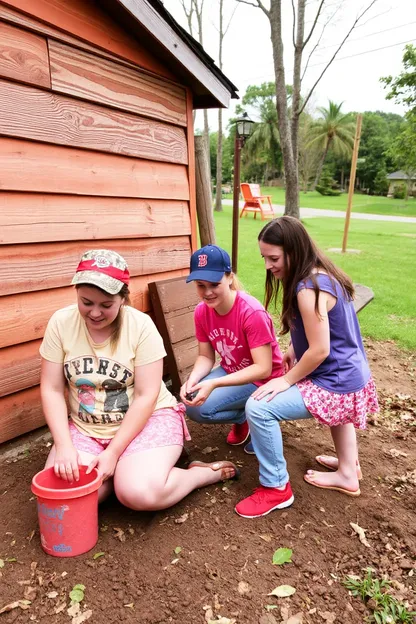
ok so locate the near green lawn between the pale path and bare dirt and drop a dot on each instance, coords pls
(386, 264)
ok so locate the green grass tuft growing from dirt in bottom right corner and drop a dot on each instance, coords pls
(375, 594)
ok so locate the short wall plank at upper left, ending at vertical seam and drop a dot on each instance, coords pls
(23, 56)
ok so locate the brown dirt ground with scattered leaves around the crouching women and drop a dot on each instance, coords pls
(224, 569)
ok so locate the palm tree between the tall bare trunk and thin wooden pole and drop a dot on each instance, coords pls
(334, 130)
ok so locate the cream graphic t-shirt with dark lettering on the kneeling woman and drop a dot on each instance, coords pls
(101, 382)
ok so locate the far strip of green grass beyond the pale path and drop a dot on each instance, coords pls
(361, 203)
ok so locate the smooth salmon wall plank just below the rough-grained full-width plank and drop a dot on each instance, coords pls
(36, 167)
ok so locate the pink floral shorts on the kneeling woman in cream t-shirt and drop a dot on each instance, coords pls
(165, 427)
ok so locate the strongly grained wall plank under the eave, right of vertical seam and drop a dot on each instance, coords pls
(83, 75)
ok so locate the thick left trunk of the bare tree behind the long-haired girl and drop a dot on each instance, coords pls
(289, 163)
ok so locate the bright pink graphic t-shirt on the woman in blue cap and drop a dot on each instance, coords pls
(246, 326)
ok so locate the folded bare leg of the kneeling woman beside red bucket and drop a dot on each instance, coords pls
(149, 480)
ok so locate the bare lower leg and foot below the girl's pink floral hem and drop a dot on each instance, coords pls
(345, 477)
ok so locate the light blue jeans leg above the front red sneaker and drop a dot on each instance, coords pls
(264, 418)
